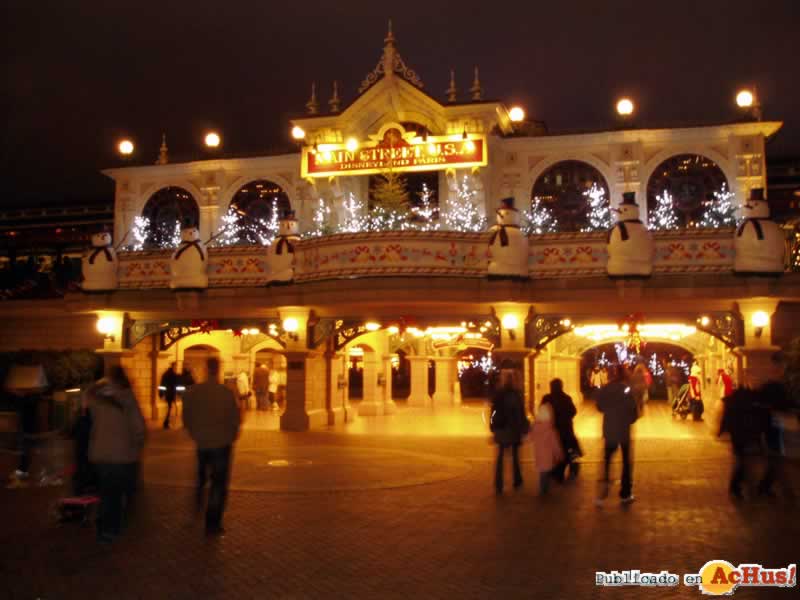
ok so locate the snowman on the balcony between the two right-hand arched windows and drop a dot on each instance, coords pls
(630, 245)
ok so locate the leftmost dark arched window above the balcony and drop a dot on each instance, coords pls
(167, 210)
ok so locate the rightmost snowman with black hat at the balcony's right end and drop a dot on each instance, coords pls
(759, 242)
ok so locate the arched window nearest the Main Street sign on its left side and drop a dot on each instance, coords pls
(257, 206)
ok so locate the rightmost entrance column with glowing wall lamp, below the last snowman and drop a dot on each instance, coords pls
(758, 349)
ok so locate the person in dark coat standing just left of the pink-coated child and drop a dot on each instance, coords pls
(509, 424)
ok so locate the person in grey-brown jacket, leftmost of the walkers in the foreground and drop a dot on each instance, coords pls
(115, 446)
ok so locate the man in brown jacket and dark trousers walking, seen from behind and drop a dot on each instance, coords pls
(212, 418)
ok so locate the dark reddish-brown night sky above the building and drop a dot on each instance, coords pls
(79, 75)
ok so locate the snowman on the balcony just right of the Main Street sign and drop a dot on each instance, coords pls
(508, 247)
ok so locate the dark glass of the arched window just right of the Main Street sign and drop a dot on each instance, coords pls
(564, 188)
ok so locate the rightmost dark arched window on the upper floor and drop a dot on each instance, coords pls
(688, 183)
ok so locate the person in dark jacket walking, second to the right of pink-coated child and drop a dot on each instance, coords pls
(619, 410)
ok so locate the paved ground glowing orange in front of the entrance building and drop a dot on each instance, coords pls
(388, 508)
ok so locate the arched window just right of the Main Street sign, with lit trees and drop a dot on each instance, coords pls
(570, 196)
